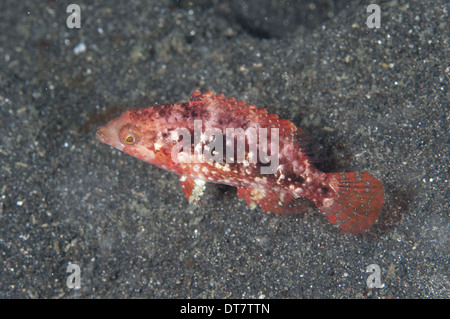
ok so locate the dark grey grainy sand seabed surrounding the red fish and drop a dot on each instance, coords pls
(375, 99)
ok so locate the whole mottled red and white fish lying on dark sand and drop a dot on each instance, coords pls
(214, 139)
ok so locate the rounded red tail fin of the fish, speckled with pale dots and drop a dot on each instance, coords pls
(359, 201)
